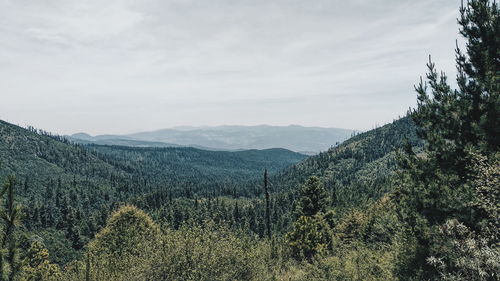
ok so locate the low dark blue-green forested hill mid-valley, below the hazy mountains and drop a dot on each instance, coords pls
(198, 171)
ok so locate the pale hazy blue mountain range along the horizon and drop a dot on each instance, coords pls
(309, 140)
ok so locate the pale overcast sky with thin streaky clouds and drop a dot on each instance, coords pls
(123, 66)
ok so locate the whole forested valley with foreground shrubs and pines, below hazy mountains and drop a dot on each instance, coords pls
(416, 199)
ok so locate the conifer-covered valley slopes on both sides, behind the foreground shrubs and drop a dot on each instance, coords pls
(73, 188)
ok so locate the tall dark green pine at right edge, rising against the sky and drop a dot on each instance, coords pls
(437, 184)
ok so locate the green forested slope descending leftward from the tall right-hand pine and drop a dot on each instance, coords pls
(358, 169)
